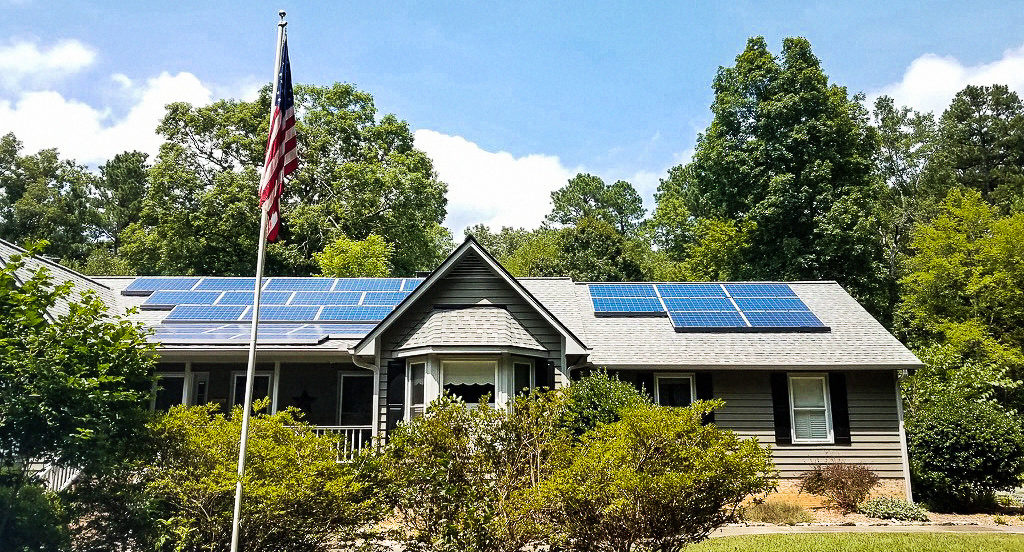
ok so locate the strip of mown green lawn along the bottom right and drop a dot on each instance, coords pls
(864, 542)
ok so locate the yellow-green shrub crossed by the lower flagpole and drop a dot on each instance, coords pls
(296, 495)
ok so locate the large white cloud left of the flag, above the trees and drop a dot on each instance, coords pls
(90, 135)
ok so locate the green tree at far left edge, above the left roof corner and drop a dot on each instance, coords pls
(44, 197)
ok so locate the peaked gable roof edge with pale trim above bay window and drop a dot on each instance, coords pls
(574, 345)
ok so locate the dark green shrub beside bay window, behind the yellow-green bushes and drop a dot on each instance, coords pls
(598, 400)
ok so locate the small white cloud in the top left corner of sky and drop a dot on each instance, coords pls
(26, 64)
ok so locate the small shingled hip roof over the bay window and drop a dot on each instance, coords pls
(472, 326)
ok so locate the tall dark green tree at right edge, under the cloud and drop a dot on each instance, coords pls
(980, 145)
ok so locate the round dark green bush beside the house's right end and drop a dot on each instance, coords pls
(962, 452)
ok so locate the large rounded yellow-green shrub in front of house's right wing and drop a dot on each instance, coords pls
(658, 478)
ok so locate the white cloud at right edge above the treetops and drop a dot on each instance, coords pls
(931, 81)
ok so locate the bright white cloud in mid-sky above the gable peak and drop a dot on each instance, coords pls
(496, 189)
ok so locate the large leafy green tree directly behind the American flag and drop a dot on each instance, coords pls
(359, 176)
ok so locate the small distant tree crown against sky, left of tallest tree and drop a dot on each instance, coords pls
(587, 196)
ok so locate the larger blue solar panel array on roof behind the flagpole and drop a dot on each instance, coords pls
(293, 311)
